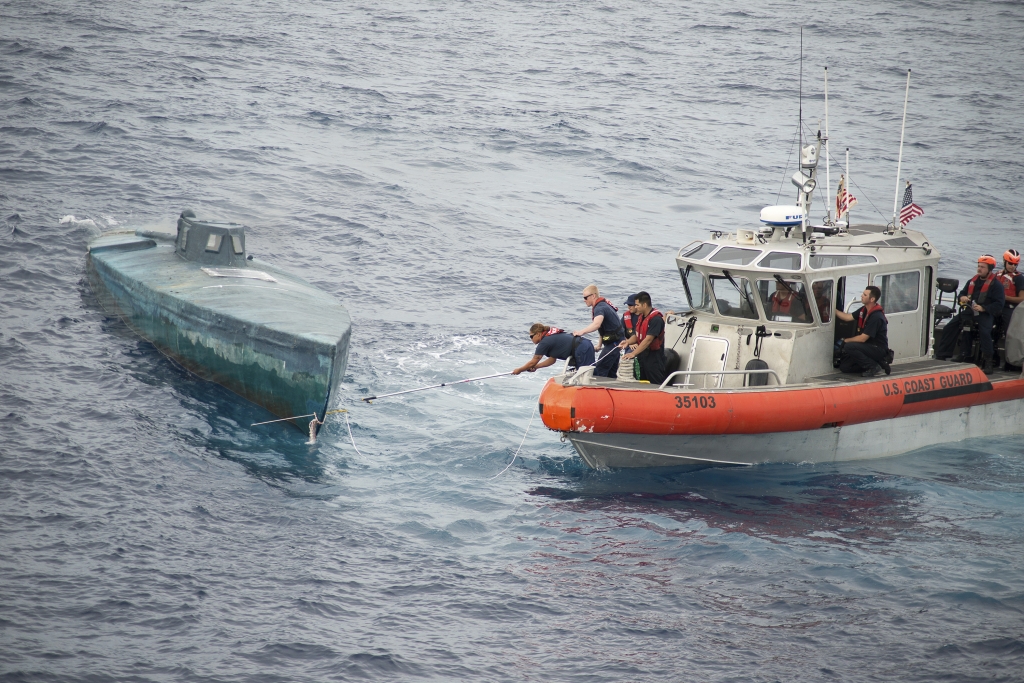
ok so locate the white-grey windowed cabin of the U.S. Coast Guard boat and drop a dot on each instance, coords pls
(763, 295)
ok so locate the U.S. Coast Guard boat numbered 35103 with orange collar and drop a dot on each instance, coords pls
(756, 387)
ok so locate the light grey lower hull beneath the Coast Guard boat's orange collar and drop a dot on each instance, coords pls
(860, 442)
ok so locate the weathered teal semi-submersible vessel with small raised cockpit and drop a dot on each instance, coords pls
(248, 326)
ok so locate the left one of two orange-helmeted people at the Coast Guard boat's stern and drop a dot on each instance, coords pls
(983, 301)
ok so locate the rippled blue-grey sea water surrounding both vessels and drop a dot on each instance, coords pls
(453, 173)
